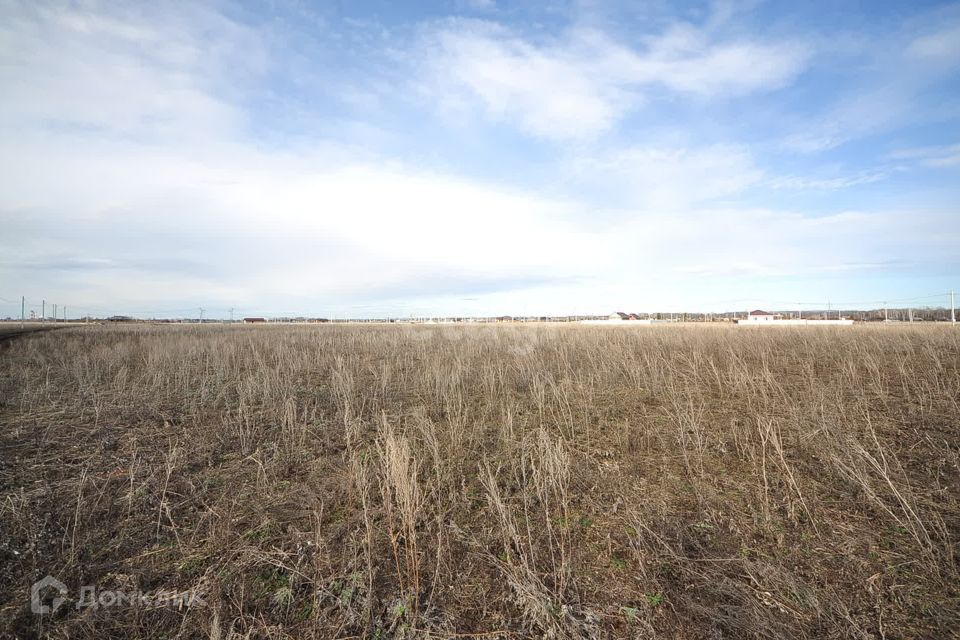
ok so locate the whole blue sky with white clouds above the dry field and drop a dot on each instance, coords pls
(477, 157)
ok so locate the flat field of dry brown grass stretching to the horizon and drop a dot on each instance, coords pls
(391, 481)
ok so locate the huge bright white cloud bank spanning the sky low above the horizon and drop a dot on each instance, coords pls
(236, 226)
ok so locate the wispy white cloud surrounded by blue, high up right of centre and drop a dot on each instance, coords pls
(581, 85)
